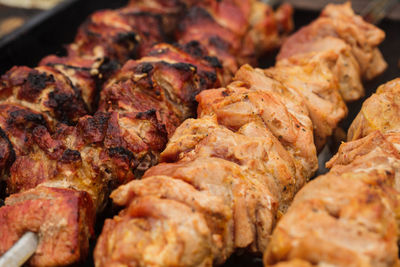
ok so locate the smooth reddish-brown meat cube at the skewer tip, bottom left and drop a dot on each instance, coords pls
(61, 217)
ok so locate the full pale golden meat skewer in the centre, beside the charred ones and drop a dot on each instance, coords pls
(226, 177)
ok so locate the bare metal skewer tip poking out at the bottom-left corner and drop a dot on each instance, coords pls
(18, 254)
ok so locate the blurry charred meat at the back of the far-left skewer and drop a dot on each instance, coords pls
(106, 40)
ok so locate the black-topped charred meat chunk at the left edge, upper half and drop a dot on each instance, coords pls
(43, 90)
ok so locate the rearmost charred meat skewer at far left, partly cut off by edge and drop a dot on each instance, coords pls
(64, 89)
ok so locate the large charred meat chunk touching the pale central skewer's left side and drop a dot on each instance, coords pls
(150, 97)
